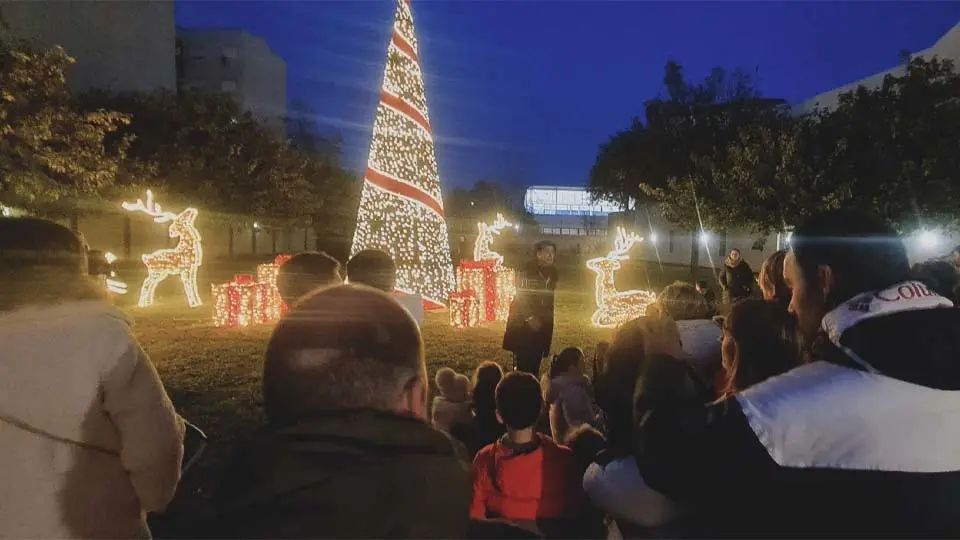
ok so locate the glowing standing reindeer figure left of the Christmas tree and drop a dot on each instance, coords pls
(182, 261)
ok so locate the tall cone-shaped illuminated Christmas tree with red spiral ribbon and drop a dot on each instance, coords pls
(401, 209)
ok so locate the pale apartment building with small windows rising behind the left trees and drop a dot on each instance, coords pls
(238, 63)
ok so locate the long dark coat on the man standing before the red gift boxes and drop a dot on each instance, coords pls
(536, 288)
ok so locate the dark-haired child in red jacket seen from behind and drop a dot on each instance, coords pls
(525, 477)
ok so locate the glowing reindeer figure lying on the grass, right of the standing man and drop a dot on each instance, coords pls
(615, 308)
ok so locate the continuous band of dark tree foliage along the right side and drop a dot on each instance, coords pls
(746, 163)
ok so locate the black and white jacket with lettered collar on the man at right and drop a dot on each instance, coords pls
(862, 442)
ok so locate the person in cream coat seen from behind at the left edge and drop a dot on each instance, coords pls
(90, 440)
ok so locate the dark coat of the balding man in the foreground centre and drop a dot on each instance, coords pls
(349, 474)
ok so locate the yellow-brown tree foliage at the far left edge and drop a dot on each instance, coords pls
(48, 147)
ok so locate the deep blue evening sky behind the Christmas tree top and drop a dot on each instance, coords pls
(525, 91)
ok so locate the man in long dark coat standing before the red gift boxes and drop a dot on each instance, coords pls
(530, 325)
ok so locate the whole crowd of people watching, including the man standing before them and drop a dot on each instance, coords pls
(826, 408)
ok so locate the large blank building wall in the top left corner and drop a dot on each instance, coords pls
(122, 45)
